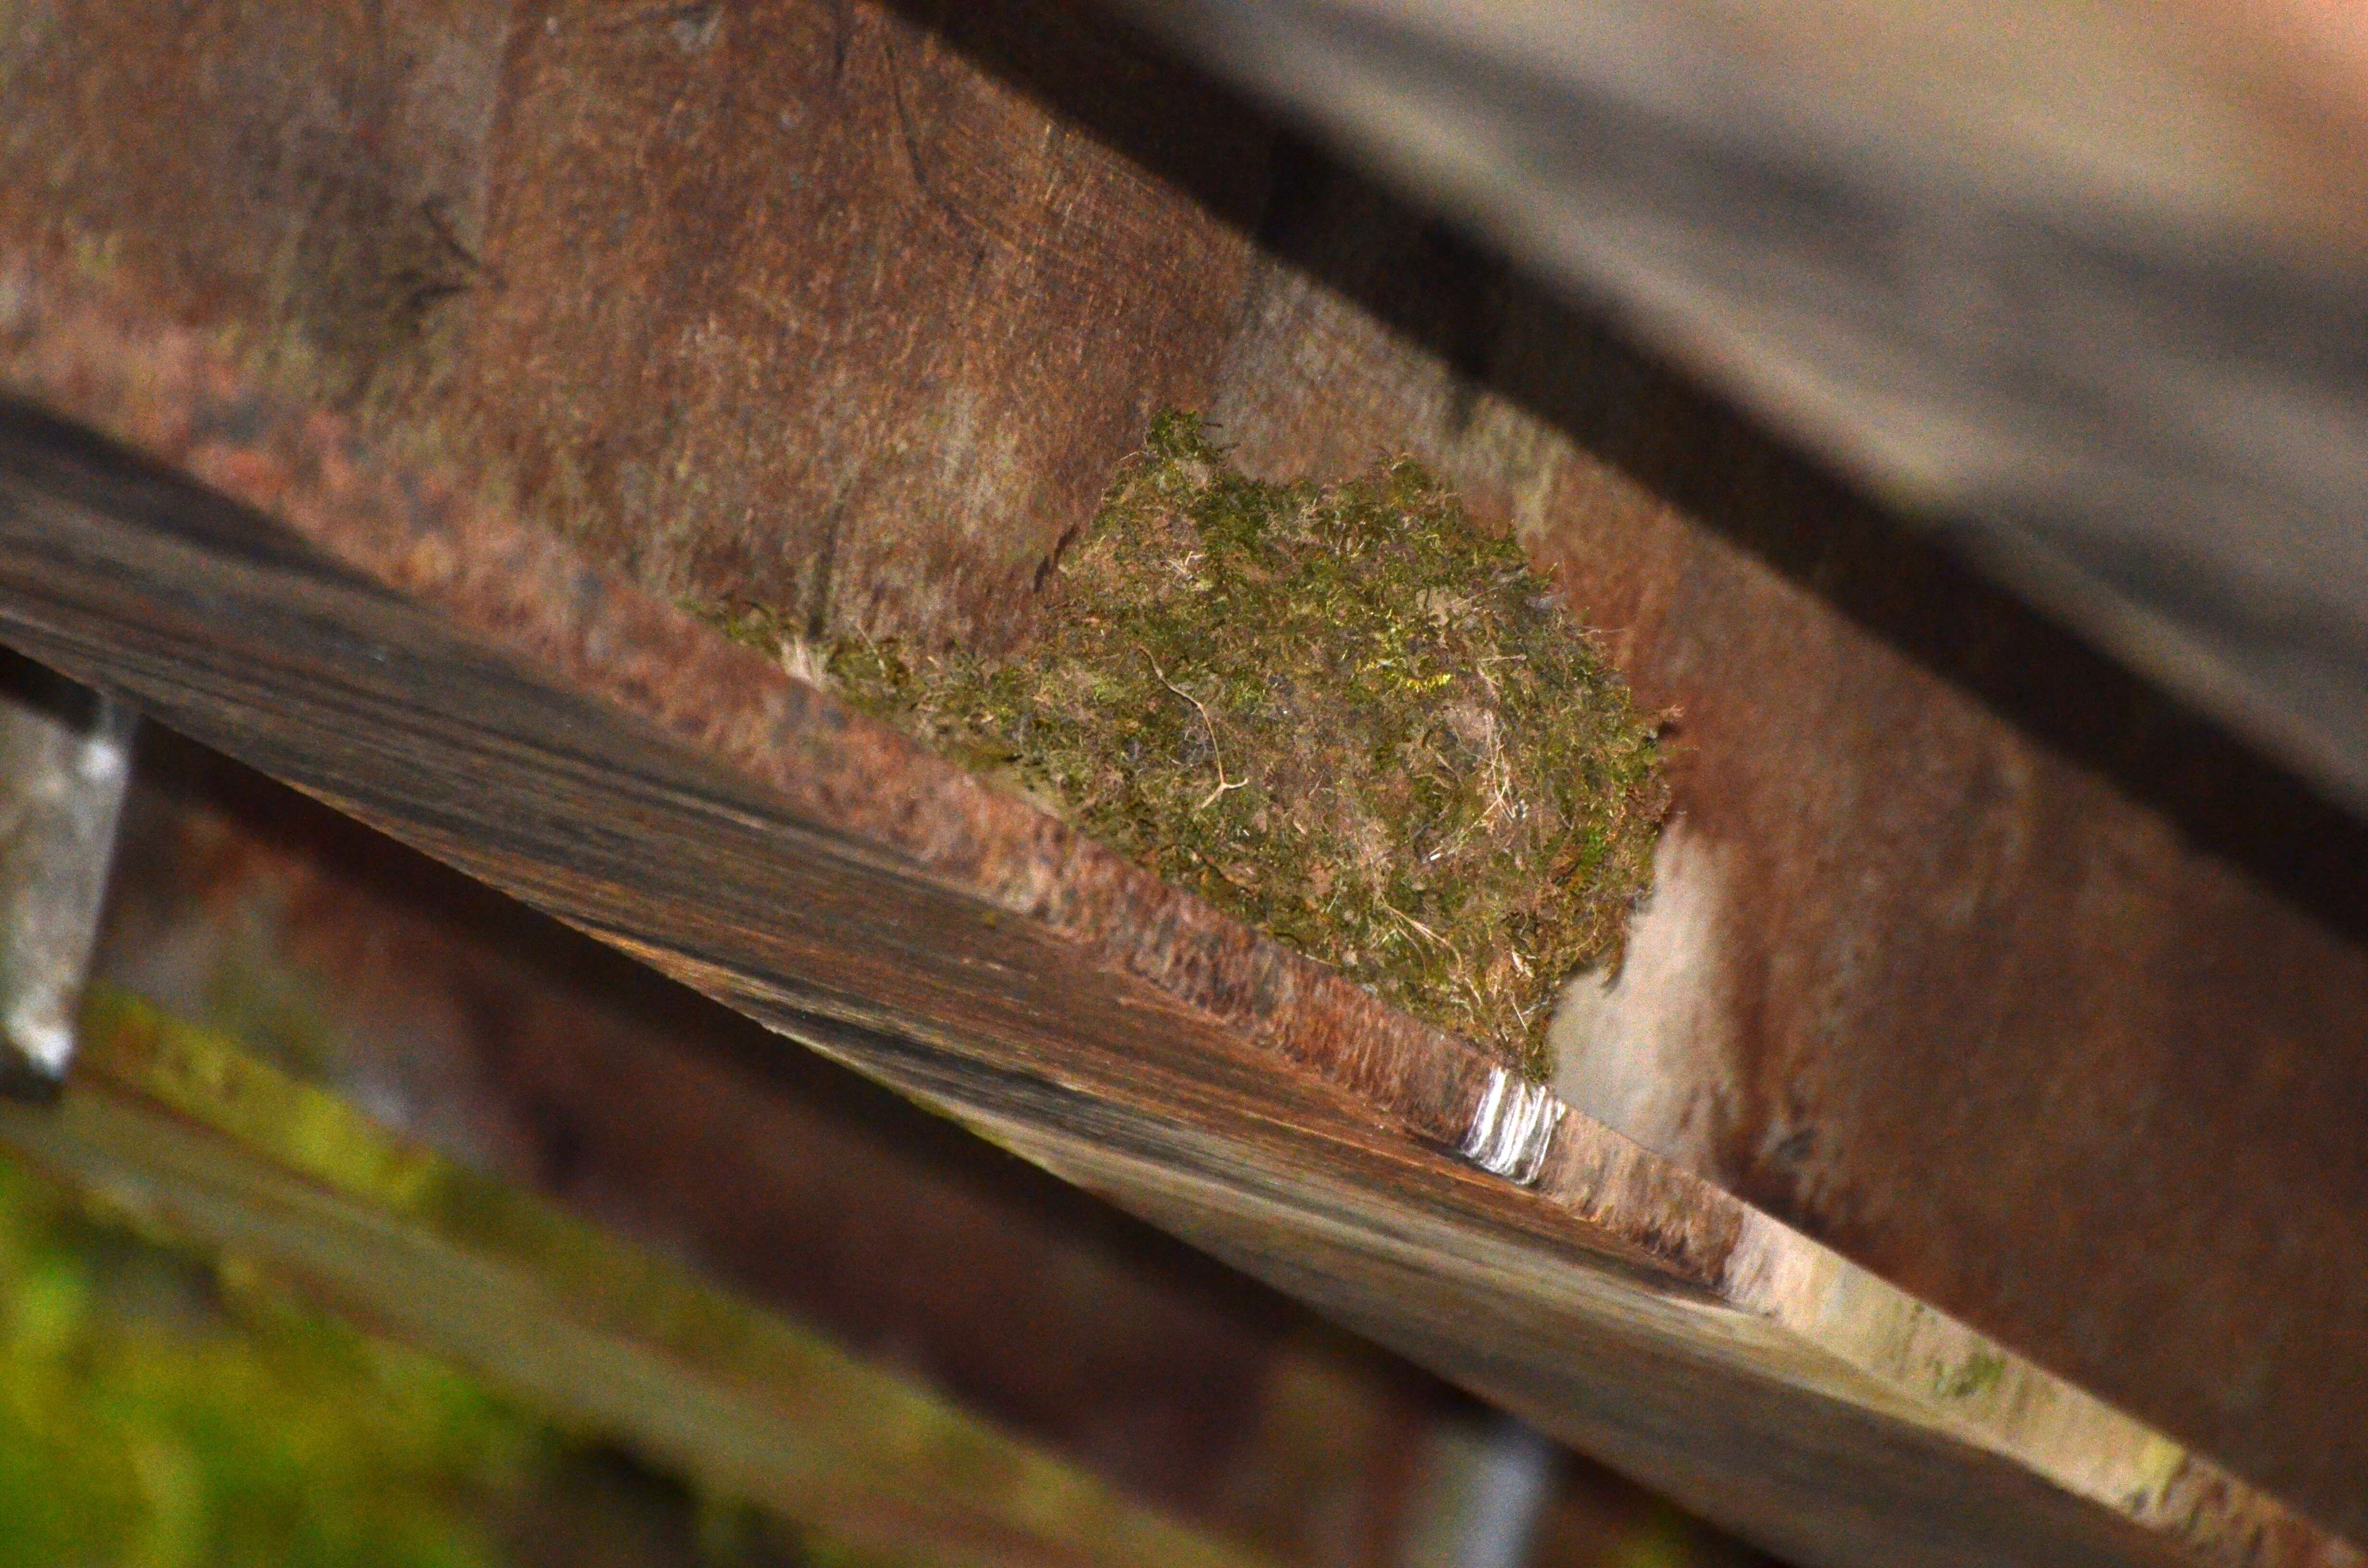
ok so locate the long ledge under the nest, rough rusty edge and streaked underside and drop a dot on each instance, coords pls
(477, 690)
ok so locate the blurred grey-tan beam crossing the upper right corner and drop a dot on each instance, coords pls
(2083, 283)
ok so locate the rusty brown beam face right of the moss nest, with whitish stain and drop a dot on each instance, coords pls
(1971, 953)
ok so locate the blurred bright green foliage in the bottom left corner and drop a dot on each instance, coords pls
(157, 1413)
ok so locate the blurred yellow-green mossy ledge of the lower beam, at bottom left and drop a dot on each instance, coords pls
(179, 1126)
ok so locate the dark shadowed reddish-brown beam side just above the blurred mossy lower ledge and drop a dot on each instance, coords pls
(539, 1055)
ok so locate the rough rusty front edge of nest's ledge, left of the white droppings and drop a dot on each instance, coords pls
(707, 719)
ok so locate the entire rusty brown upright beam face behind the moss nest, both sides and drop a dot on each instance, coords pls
(1974, 958)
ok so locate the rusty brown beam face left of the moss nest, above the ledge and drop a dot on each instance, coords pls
(783, 302)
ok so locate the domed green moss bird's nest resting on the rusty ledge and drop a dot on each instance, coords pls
(1339, 714)
